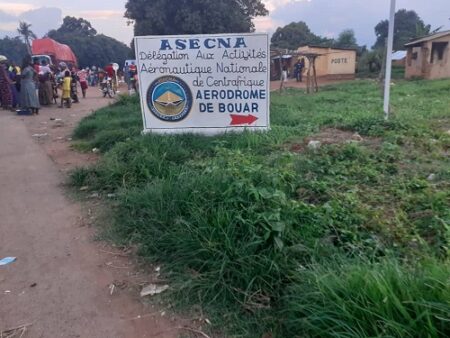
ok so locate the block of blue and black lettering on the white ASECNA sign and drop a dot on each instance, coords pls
(226, 75)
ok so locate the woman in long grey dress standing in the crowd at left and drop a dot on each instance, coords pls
(28, 97)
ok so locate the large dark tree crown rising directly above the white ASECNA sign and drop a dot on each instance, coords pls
(168, 17)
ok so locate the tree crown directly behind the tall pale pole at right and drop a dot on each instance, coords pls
(408, 26)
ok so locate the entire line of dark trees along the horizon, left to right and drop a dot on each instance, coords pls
(166, 17)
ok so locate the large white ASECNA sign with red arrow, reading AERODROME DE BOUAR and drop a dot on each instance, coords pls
(204, 83)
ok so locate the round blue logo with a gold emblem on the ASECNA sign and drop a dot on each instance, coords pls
(169, 99)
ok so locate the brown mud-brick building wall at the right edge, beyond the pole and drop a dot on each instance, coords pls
(427, 62)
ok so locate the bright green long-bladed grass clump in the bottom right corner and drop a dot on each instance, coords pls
(362, 299)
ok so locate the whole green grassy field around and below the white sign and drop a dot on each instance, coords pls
(307, 244)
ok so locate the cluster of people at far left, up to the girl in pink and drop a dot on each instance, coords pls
(36, 84)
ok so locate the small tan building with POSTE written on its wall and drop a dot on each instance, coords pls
(334, 62)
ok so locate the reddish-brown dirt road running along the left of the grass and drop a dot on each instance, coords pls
(62, 283)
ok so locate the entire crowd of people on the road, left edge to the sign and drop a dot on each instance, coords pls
(37, 83)
